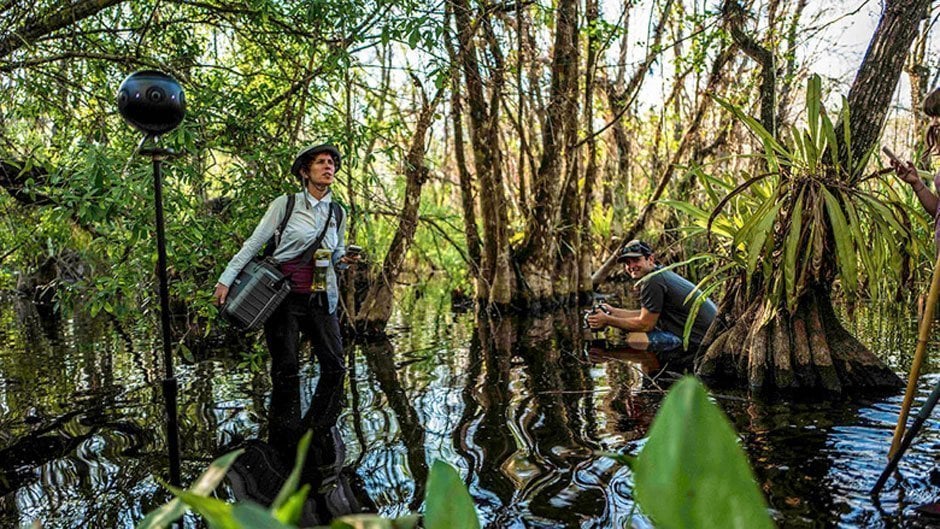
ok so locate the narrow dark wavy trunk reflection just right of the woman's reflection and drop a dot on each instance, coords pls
(380, 359)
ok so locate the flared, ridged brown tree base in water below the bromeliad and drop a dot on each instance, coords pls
(808, 351)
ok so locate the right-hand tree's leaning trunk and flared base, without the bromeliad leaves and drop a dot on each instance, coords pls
(809, 349)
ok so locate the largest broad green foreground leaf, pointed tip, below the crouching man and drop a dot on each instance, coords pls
(691, 473)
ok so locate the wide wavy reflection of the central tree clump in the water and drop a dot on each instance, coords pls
(530, 418)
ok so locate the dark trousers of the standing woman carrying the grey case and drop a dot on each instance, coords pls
(307, 314)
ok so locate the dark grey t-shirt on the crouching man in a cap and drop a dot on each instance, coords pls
(665, 293)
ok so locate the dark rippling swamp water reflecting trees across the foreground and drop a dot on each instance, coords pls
(516, 406)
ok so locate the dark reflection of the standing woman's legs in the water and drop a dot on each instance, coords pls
(261, 471)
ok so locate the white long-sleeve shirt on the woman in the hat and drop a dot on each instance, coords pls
(302, 229)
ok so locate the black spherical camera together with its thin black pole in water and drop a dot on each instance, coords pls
(153, 102)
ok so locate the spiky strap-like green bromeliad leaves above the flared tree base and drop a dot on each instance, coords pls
(806, 214)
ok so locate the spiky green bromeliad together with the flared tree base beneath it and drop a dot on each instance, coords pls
(805, 221)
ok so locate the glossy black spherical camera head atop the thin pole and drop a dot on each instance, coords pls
(151, 101)
